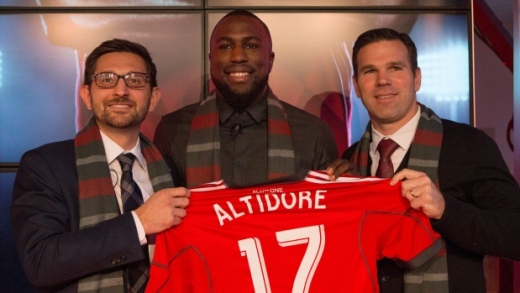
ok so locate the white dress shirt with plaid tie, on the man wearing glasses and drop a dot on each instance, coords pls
(140, 176)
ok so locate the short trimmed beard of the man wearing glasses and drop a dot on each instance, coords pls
(111, 120)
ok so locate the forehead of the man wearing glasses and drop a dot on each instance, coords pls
(120, 62)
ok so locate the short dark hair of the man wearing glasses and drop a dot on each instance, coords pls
(119, 46)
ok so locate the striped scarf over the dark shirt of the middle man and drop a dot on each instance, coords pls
(203, 150)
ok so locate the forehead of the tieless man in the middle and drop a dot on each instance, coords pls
(239, 27)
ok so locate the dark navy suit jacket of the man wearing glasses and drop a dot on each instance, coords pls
(54, 253)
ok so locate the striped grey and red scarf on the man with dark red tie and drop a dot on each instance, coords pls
(424, 156)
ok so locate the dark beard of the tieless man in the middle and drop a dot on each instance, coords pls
(240, 100)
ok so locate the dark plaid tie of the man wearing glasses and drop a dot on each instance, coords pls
(132, 198)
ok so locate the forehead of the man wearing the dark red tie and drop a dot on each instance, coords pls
(383, 52)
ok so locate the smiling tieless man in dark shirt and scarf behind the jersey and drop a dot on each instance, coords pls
(242, 133)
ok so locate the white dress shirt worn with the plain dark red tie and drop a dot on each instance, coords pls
(403, 137)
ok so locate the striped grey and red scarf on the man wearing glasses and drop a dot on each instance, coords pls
(97, 200)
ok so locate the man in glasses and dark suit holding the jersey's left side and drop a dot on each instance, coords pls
(72, 223)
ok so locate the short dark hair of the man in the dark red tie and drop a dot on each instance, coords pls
(384, 34)
